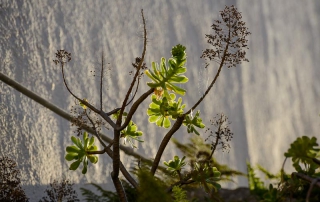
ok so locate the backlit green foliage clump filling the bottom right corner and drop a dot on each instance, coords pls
(297, 185)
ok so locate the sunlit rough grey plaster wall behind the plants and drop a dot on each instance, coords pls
(270, 101)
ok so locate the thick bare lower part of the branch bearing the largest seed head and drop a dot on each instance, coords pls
(164, 143)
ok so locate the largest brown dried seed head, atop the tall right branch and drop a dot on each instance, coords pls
(229, 39)
